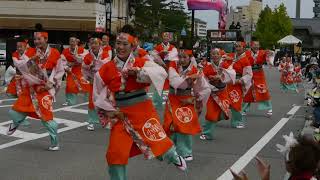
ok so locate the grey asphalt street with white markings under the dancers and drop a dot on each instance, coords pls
(23, 156)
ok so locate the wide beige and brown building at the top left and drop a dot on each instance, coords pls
(58, 16)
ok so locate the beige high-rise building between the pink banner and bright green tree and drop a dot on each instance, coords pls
(247, 16)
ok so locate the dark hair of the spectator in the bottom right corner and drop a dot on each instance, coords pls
(304, 156)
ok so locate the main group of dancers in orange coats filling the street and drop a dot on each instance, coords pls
(116, 82)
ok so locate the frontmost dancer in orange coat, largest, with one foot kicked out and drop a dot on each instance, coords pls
(123, 105)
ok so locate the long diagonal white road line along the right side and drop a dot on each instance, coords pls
(244, 160)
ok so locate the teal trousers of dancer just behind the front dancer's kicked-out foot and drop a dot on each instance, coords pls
(183, 143)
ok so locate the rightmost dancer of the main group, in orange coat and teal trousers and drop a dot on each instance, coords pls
(259, 91)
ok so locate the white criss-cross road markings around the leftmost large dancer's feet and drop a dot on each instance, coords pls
(26, 136)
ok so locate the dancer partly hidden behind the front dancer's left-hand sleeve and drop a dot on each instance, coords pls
(92, 62)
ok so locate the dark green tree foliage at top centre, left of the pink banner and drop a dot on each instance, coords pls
(154, 16)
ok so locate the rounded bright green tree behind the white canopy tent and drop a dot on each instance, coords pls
(273, 25)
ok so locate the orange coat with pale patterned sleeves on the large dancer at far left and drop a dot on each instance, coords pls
(34, 100)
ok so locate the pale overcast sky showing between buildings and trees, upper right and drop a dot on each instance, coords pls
(306, 9)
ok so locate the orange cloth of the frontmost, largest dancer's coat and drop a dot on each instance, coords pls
(142, 115)
